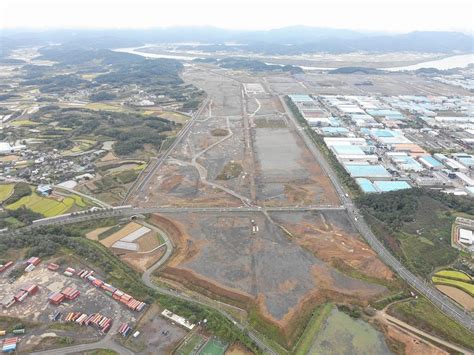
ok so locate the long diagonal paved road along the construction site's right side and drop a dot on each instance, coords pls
(441, 301)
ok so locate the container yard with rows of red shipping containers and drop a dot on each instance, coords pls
(46, 295)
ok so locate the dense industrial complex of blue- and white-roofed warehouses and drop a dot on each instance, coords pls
(394, 143)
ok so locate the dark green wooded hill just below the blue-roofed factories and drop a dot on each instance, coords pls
(416, 225)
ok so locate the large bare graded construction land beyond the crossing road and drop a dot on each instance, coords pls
(244, 125)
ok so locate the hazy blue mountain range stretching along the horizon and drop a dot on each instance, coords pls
(287, 40)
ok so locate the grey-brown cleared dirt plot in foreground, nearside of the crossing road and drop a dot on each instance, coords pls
(220, 254)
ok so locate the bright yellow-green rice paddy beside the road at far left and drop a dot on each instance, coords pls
(48, 206)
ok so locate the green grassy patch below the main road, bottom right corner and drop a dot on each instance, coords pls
(422, 314)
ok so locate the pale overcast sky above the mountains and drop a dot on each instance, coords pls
(394, 16)
